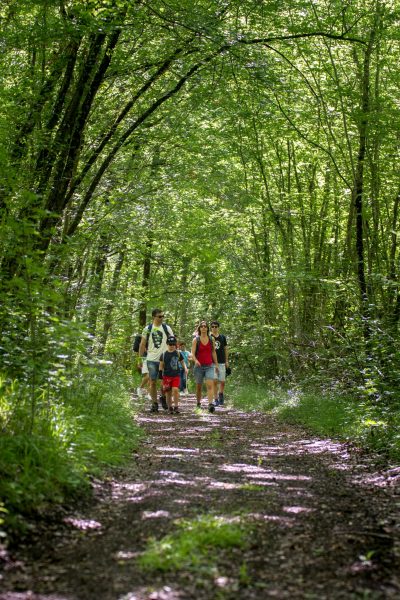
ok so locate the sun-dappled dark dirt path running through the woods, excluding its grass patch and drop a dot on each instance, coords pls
(324, 522)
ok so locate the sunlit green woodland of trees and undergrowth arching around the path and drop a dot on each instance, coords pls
(220, 159)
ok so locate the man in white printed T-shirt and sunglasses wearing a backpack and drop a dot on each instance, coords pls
(154, 341)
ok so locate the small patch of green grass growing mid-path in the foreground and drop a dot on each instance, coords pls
(195, 545)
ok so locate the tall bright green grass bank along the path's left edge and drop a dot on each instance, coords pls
(76, 435)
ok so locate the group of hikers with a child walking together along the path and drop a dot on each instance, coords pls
(166, 360)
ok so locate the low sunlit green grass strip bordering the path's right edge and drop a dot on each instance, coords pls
(370, 423)
